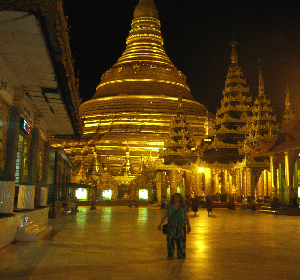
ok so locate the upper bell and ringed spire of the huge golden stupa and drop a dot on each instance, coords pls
(144, 67)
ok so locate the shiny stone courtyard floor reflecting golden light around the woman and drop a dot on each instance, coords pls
(123, 243)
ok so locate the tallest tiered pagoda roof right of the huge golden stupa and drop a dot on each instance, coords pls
(232, 118)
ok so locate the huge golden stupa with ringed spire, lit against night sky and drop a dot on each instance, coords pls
(128, 119)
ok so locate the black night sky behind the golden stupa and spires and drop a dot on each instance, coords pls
(197, 36)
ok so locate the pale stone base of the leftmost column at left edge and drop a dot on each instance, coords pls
(7, 194)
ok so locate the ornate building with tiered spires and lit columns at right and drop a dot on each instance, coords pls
(245, 152)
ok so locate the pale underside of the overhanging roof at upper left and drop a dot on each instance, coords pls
(31, 50)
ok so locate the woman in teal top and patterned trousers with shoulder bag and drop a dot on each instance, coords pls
(179, 225)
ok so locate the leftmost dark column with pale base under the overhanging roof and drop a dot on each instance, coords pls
(7, 179)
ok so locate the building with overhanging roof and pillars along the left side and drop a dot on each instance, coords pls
(38, 99)
